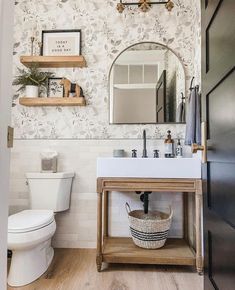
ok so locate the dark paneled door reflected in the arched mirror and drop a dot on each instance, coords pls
(161, 99)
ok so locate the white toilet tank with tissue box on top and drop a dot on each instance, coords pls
(50, 190)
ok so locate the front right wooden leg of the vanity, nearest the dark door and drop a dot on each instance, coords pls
(198, 221)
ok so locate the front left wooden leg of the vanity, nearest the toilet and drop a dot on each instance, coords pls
(99, 232)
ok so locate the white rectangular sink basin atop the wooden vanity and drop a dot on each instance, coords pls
(149, 167)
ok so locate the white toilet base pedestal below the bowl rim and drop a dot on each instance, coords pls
(28, 265)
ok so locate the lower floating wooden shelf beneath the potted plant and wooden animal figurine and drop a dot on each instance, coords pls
(36, 102)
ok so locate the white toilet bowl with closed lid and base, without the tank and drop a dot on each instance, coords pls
(29, 239)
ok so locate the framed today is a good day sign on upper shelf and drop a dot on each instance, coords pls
(61, 42)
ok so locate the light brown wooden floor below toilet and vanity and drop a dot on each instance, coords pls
(75, 269)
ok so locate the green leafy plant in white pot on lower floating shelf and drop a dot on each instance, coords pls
(31, 79)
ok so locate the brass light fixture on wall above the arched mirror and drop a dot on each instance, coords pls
(144, 5)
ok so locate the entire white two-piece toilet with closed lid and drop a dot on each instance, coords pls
(30, 231)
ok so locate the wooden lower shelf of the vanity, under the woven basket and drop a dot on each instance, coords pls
(123, 250)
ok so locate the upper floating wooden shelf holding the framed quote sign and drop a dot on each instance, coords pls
(54, 61)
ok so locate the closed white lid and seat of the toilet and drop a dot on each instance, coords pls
(29, 220)
